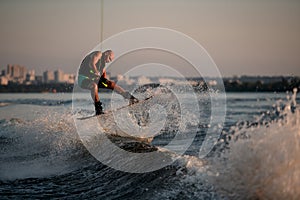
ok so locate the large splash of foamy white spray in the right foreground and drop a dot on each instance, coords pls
(266, 163)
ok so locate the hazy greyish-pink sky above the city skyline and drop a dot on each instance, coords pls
(258, 37)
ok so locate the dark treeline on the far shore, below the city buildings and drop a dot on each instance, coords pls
(230, 86)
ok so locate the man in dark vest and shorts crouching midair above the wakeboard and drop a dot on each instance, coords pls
(92, 76)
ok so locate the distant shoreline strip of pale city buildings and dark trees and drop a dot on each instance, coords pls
(18, 78)
